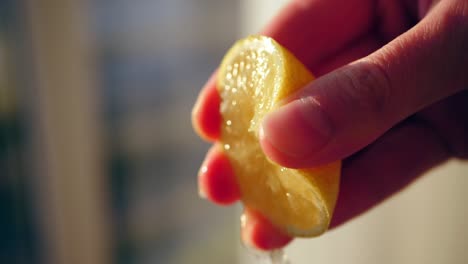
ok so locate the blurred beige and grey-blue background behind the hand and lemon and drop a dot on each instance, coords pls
(98, 160)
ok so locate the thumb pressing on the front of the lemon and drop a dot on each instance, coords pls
(345, 110)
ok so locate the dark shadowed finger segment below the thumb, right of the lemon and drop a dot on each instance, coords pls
(386, 167)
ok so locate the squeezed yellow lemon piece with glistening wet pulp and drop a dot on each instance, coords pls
(255, 74)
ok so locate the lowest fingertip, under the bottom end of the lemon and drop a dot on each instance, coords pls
(257, 232)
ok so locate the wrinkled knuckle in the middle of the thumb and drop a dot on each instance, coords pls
(367, 87)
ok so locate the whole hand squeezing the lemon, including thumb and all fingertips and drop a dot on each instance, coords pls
(391, 101)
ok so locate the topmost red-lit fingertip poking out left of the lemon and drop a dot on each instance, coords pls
(206, 118)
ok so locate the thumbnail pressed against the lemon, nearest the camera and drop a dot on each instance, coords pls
(298, 129)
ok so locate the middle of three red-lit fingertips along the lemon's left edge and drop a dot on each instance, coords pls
(216, 179)
